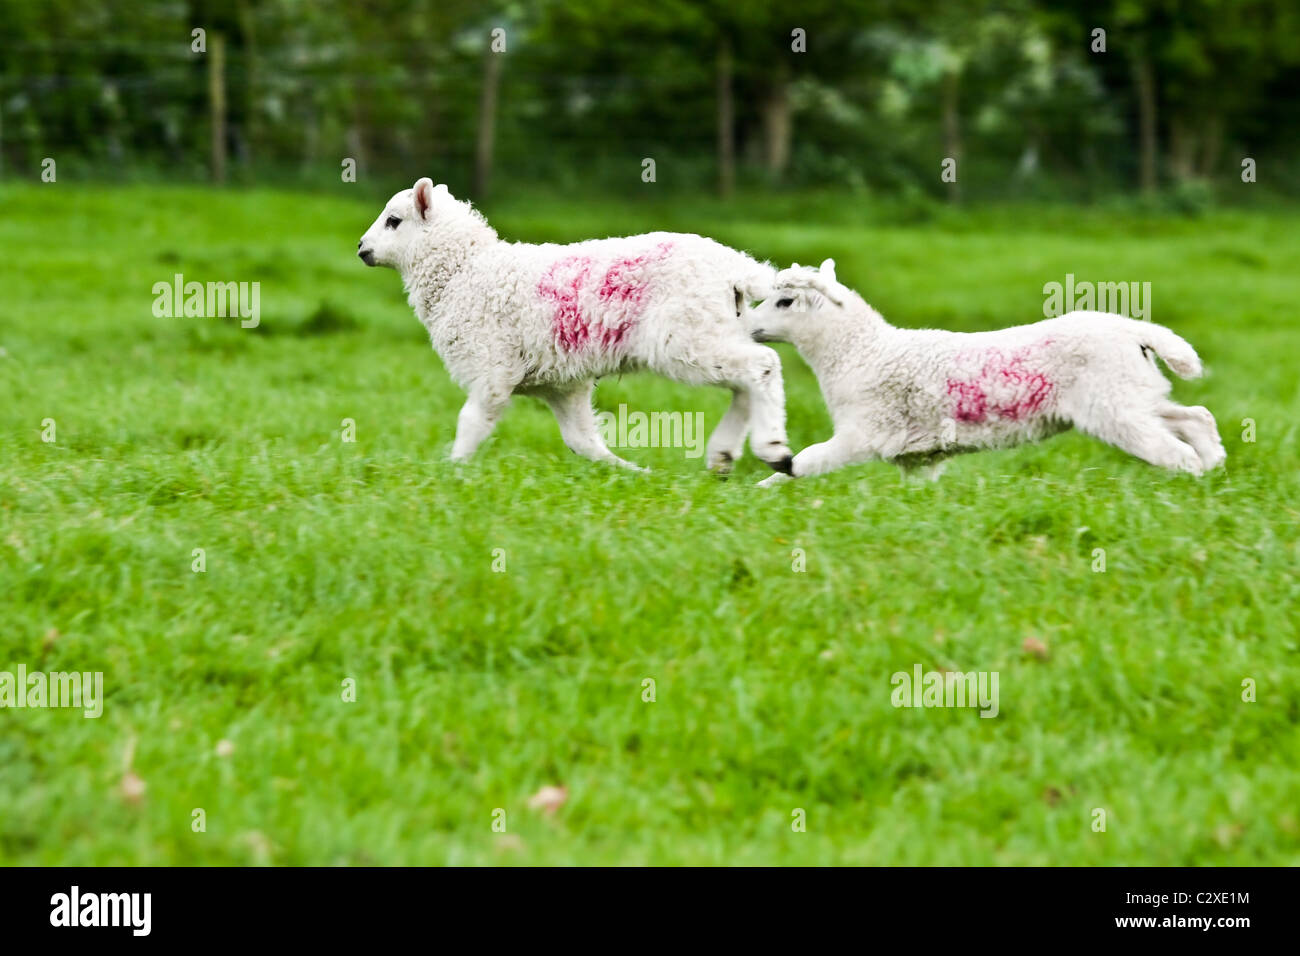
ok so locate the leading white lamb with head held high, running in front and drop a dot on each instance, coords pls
(548, 321)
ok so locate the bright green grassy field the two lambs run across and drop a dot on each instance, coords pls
(374, 563)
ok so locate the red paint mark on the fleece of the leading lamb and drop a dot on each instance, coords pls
(621, 296)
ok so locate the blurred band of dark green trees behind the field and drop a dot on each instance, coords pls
(859, 93)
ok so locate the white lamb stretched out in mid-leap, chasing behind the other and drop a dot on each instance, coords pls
(918, 396)
